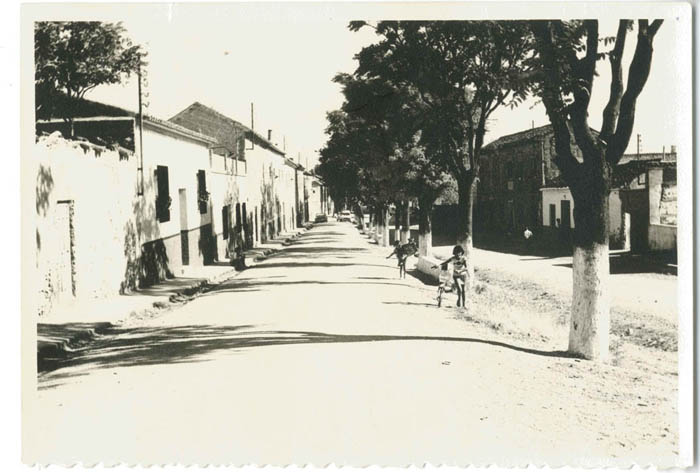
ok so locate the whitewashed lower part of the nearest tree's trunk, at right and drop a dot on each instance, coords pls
(589, 334)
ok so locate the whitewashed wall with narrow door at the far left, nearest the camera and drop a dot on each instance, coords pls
(102, 188)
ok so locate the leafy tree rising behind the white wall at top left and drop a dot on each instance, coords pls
(72, 58)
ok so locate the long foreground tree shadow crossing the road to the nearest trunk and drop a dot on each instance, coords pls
(142, 346)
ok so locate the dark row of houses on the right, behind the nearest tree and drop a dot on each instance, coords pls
(520, 186)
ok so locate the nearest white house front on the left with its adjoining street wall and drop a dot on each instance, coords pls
(128, 212)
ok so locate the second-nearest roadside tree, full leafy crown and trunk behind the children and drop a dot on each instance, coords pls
(459, 72)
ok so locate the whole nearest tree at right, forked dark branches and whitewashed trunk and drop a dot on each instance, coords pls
(568, 53)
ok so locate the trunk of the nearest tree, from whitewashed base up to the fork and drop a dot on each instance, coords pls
(589, 334)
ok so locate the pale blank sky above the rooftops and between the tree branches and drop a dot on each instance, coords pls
(282, 59)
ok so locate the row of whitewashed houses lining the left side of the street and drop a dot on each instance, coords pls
(133, 200)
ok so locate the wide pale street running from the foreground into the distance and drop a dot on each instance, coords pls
(321, 353)
